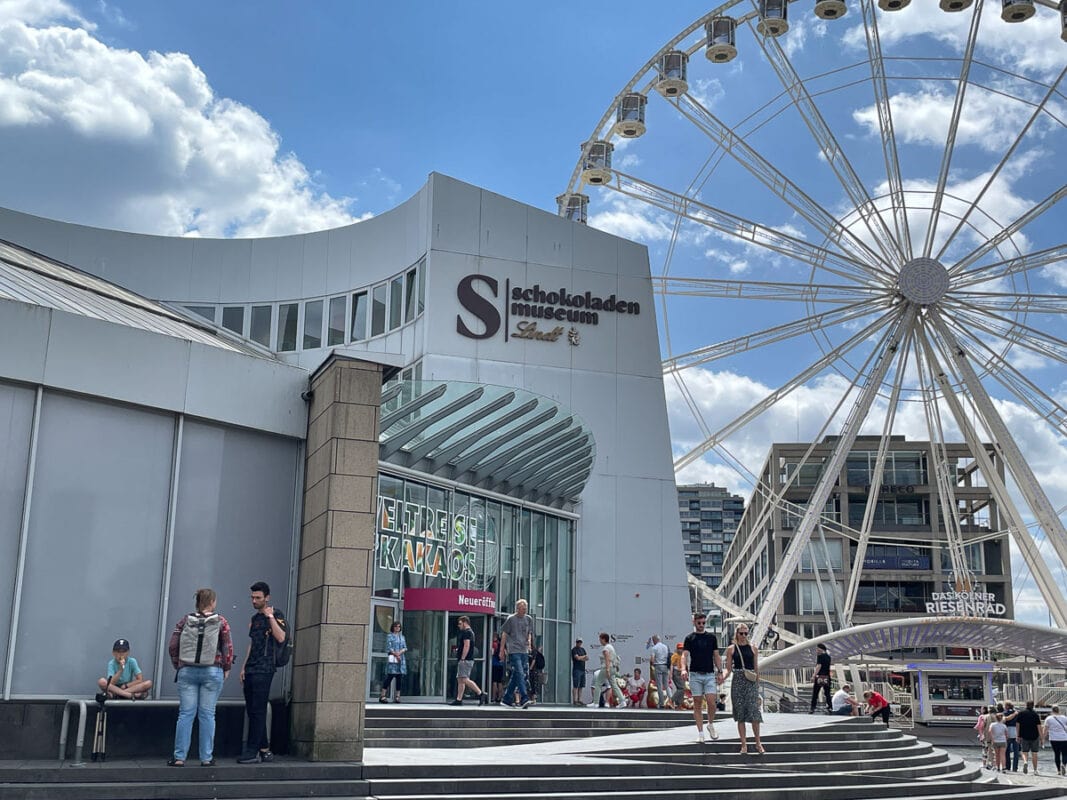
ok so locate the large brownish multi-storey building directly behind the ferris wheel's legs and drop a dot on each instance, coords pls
(907, 562)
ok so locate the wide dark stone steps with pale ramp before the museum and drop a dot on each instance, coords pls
(842, 760)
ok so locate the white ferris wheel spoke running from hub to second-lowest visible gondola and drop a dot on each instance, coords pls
(741, 230)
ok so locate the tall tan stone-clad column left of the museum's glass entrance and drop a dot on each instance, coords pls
(337, 564)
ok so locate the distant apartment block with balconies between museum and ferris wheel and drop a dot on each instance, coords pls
(710, 517)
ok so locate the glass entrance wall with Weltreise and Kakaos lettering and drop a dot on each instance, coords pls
(441, 538)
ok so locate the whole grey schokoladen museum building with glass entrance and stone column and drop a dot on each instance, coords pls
(427, 414)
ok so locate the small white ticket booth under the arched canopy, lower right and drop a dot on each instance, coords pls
(951, 694)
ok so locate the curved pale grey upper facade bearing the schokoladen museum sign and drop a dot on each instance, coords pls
(493, 293)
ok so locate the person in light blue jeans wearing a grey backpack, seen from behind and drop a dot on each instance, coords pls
(202, 652)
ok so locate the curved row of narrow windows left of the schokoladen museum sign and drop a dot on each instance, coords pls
(342, 319)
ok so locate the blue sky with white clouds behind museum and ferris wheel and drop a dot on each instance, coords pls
(248, 119)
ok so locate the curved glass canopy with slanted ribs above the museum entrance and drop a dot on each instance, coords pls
(493, 438)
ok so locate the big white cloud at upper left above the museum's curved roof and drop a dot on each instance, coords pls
(139, 142)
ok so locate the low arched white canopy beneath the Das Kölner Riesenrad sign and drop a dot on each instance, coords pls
(1047, 646)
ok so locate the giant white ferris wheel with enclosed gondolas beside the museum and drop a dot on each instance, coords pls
(864, 198)
